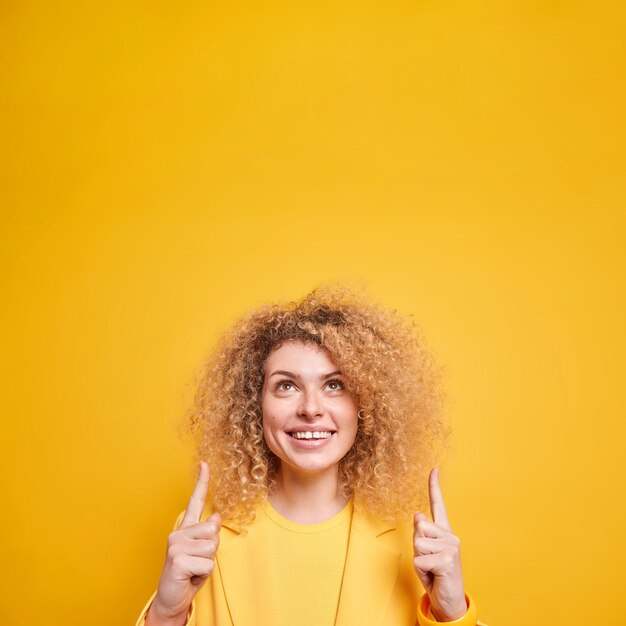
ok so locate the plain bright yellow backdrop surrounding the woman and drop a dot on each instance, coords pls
(165, 167)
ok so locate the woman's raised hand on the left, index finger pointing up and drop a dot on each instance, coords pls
(190, 559)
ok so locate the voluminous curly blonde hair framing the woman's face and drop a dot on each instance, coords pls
(388, 368)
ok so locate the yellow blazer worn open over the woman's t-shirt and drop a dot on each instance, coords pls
(379, 587)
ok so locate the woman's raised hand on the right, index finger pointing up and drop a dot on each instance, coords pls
(438, 558)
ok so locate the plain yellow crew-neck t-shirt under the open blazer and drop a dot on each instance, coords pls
(306, 562)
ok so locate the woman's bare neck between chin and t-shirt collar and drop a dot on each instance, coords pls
(307, 498)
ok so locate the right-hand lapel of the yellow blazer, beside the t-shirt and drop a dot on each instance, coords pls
(370, 573)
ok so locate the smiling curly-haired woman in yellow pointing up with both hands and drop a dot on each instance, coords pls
(319, 421)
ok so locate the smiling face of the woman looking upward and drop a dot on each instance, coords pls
(309, 418)
